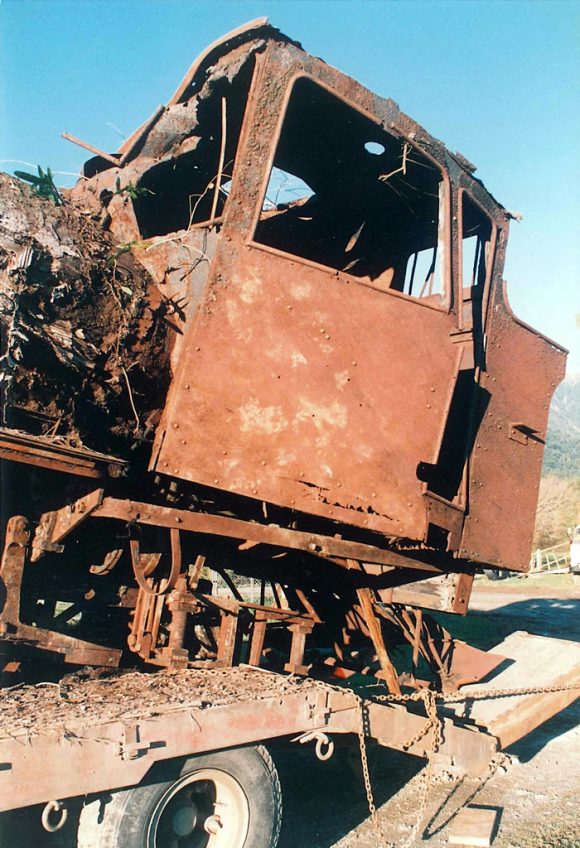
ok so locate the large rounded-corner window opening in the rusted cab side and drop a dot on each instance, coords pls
(345, 193)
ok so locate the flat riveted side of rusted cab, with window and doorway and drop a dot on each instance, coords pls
(353, 355)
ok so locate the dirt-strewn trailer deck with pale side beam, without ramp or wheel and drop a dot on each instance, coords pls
(63, 740)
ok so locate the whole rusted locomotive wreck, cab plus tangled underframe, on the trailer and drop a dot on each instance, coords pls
(355, 419)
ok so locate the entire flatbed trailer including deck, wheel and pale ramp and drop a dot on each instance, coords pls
(153, 759)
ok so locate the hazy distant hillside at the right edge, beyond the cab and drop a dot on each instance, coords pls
(562, 456)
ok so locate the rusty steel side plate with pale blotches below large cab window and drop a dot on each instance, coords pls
(293, 388)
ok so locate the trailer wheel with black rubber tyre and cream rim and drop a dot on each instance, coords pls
(226, 799)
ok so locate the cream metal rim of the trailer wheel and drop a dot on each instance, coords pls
(204, 809)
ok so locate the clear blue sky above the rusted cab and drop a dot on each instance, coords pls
(499, 81)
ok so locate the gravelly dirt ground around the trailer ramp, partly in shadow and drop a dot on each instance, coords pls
(535, 792)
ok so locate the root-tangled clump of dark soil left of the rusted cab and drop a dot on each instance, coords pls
(84, 341)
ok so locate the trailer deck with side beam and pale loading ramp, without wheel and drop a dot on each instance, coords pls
(79, 737)
